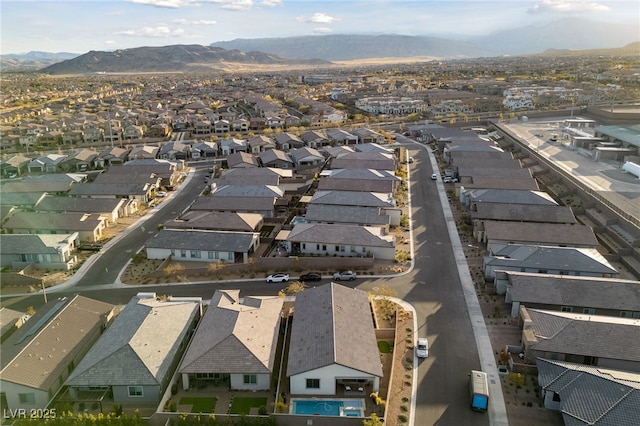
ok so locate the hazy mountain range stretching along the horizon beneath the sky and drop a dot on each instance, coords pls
(564, 35)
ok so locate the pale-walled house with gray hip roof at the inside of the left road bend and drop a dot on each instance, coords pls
(202, 246)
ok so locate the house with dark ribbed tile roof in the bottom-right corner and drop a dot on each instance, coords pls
(587, 395)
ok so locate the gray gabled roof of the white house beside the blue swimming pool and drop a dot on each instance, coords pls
(332, 324)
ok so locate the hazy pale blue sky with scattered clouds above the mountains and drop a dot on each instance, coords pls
(78, 26)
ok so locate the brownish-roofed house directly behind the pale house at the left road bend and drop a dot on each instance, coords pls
(219, 221)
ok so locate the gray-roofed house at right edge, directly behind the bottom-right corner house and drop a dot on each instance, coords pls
(599, 341)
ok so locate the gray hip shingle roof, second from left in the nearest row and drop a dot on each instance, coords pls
(139, 347)
